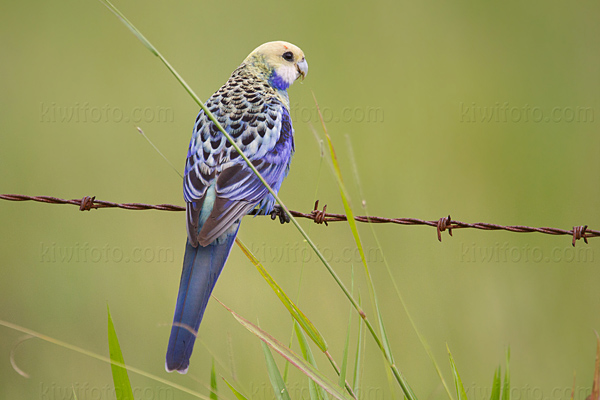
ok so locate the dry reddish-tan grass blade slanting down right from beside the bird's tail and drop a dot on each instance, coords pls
(292, 357)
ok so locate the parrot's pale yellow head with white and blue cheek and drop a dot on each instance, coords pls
(281, 63)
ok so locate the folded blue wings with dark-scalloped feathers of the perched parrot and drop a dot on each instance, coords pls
(219, 186)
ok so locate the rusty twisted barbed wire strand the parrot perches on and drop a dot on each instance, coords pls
(322, 217)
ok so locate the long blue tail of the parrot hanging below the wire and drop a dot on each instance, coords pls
(201, 269)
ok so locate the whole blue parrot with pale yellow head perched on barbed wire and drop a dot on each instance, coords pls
(219, 187)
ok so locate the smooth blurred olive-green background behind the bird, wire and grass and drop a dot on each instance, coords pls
(488, 111)
